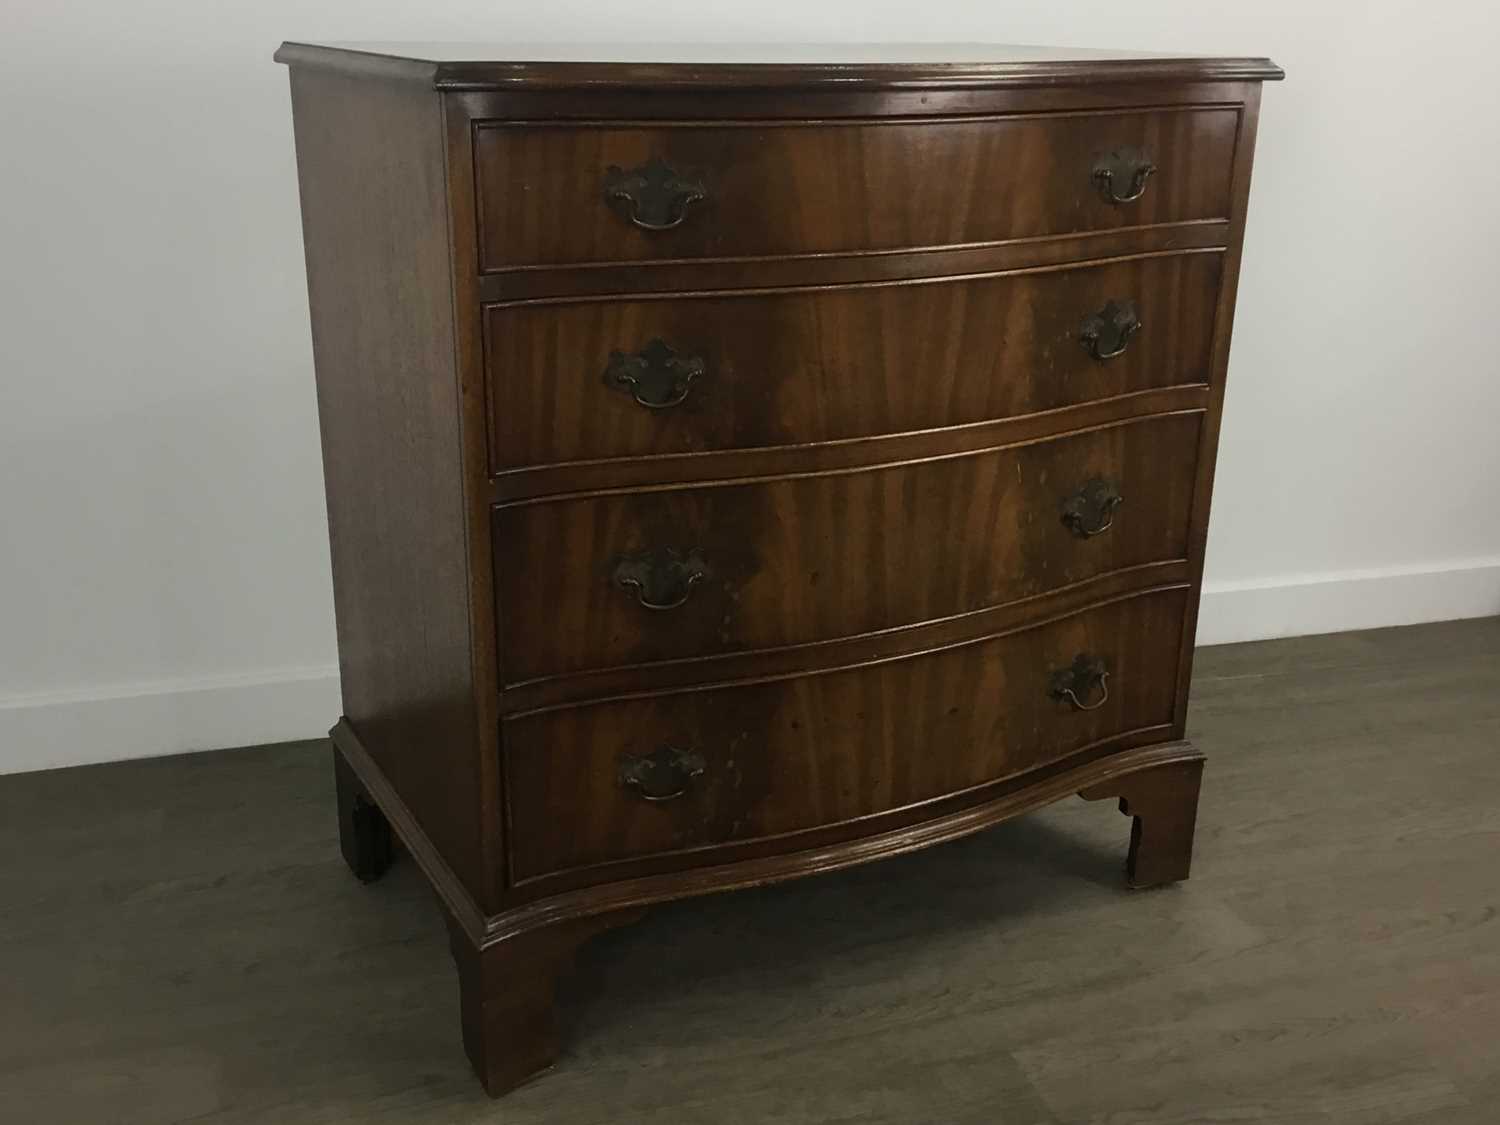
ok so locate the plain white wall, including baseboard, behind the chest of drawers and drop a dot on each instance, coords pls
(164, 572)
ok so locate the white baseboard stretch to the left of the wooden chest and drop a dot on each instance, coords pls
(167, 718)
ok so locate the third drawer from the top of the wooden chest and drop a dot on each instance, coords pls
(628, 578)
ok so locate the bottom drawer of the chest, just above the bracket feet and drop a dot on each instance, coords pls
(635, 778)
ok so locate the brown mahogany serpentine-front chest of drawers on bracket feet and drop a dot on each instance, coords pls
(742, 469)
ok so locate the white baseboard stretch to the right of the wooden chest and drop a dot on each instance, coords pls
(1346, 601)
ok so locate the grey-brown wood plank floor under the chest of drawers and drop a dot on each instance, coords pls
(181, 943)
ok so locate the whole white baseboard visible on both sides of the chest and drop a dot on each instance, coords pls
(170, 718)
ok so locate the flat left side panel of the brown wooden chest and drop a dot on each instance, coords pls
(388, 406)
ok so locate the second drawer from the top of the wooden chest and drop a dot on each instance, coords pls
(616, 379)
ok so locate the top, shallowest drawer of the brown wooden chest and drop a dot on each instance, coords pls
(587, 194)
